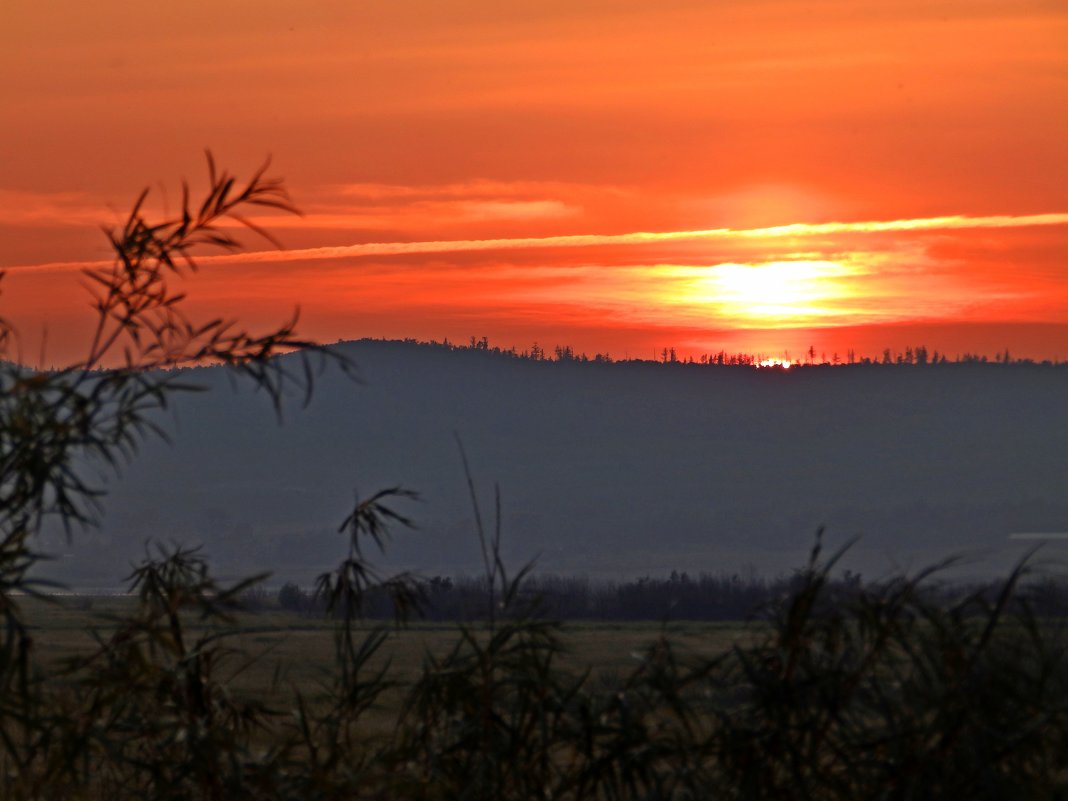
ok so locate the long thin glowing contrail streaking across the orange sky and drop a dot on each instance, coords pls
(582, 241)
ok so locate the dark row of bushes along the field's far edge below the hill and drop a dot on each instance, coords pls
(679, 598)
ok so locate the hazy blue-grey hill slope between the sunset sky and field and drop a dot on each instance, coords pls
(604, 468)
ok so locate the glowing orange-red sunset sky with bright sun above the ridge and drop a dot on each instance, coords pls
(620, 177)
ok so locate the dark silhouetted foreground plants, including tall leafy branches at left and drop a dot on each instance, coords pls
(887, 690)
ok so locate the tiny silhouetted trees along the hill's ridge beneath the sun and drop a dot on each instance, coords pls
(919, 355)
